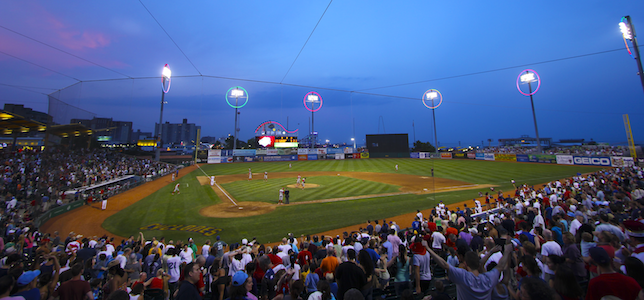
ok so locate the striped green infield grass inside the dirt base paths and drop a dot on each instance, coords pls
(329, 187)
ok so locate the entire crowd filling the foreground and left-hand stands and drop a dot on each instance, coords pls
(567, 239)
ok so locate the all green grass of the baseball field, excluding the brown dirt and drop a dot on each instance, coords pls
(161, 207)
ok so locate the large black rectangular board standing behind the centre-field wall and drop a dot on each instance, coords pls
(388, 145)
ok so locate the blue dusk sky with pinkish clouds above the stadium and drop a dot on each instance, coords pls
(369, 60)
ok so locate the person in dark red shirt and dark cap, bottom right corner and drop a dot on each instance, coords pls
(609, 282)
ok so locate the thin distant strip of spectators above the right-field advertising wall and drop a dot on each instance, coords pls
(587, 150)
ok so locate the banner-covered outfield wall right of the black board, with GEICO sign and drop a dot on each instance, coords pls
(561, 159)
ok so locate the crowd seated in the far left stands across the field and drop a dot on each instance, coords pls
(35, 181)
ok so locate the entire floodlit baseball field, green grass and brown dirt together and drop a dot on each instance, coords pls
(338, 193)
